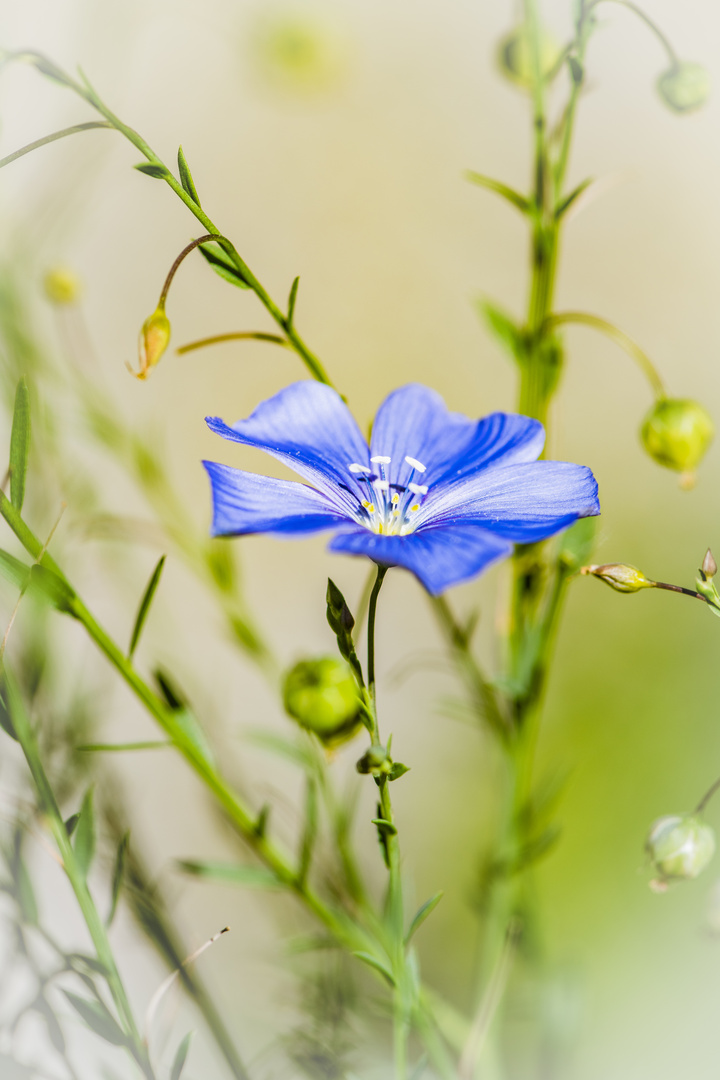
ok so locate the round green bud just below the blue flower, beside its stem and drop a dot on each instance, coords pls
(322, 696)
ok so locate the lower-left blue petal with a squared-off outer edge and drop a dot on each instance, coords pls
(246, 503)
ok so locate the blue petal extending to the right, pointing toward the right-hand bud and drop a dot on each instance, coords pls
(522, 503)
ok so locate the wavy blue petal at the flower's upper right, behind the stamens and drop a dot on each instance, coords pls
(415, 422)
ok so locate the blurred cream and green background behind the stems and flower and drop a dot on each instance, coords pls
(345, 167)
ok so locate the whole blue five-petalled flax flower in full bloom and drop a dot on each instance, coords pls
(437, 493)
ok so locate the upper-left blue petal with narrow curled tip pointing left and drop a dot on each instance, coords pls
(309, 428)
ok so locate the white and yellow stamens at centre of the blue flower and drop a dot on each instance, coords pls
(389, 509)
